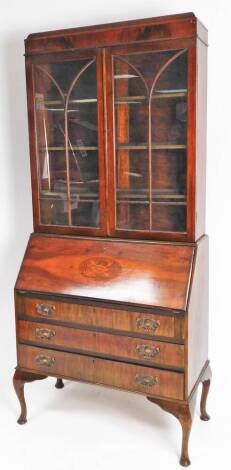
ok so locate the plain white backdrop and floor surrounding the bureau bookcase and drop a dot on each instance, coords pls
(87, 426)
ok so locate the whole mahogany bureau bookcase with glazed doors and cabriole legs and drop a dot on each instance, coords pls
(113, 288)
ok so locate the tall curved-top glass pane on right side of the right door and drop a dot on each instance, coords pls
(169, 132)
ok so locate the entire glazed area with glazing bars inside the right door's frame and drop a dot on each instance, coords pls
(150, 101)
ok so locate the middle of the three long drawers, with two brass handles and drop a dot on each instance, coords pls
(147, 351)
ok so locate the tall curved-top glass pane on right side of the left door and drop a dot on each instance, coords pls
(83, 153)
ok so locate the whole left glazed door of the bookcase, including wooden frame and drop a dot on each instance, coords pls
(69, 178)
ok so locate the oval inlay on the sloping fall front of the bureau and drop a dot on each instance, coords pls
(100, 268)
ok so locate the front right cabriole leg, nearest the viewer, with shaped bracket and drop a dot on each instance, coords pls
(184, 413)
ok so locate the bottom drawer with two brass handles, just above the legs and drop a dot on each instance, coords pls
(145, 380)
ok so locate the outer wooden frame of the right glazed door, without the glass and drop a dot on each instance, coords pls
(190, 45)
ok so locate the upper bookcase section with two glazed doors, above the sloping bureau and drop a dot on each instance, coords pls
(117, 127)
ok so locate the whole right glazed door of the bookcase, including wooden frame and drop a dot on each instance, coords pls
(150, 104)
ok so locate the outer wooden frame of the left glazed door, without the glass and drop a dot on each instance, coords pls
(60, 57)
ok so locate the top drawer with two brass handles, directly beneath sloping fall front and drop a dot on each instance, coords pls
(100, 317)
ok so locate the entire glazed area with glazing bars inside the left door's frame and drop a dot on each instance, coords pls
(67, 142)
